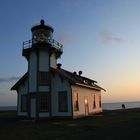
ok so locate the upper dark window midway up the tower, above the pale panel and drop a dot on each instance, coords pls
(43, 78)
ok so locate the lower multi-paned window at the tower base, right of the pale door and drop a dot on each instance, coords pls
(43, 102)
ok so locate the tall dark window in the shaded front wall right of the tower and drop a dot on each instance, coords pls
(62, 101)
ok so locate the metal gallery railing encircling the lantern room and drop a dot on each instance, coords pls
(54, 43)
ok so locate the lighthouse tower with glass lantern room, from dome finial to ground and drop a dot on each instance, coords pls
(41, 52)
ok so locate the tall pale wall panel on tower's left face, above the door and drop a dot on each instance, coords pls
(32, 72)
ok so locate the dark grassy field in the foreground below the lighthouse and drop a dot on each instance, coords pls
(110, 125)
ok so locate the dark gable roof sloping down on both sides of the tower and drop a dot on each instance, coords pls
(73, 78)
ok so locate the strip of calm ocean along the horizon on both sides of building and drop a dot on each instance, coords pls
(106, 106)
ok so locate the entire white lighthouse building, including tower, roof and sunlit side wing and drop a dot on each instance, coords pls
(47, 90)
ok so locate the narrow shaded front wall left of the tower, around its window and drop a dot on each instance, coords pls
(23, 90)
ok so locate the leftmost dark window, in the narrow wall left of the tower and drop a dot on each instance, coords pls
(23, 103)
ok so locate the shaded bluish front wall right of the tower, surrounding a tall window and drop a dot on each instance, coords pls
(60, 84)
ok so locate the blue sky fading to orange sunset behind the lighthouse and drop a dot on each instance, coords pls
(100, 37)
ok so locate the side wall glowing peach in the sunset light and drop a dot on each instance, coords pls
(85, 93)
